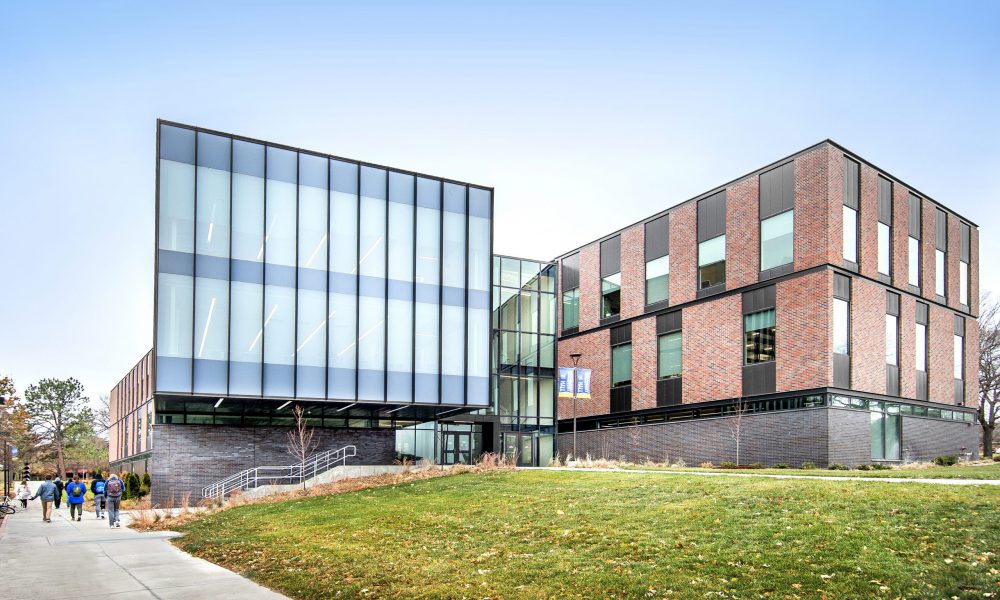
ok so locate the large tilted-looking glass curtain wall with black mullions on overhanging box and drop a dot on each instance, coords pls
(288, 274)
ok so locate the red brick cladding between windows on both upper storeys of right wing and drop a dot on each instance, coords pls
(712, 328)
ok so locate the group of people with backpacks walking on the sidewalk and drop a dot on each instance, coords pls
(107, 497)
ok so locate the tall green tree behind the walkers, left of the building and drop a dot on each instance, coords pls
(57, 409)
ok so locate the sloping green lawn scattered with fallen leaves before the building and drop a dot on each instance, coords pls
(589, 534)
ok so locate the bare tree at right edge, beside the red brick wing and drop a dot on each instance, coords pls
(989, 369)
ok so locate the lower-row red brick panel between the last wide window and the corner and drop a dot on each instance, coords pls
(804, 321)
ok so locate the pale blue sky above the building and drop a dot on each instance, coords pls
(584, 116)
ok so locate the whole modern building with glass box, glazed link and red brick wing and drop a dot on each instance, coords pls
(823, 304)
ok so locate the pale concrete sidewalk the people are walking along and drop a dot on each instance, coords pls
(87, 559)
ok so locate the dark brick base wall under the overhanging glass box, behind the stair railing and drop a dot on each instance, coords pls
(188, 457)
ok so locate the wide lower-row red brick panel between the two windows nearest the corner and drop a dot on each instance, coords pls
(712, 347)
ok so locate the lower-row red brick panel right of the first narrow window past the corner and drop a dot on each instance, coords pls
(867, 336)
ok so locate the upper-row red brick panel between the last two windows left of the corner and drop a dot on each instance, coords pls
(743, 233)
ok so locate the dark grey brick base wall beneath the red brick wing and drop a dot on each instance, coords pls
(819, 435)
